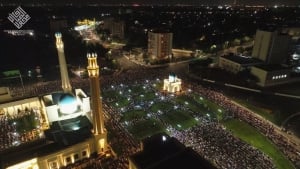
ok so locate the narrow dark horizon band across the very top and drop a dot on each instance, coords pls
(153, 2)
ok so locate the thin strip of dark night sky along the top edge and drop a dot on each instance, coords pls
(171, 2)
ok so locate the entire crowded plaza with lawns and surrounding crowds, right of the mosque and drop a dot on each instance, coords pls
(137, 107)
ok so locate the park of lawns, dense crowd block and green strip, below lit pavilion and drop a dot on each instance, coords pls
(146, 109)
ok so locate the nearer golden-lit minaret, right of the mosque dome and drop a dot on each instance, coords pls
(99, 131)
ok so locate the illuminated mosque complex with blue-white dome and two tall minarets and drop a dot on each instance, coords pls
(70, 123)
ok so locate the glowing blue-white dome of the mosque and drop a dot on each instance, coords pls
(67, 103)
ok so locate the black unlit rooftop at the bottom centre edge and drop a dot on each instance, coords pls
(162, 151)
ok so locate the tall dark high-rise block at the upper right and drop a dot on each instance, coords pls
(271, 46)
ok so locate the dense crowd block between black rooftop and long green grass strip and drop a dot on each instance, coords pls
(220, 147)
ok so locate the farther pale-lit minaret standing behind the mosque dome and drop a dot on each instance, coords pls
(65, 82)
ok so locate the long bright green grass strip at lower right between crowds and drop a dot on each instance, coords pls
(253, 137)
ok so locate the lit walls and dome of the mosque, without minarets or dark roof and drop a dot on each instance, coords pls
(46, 152)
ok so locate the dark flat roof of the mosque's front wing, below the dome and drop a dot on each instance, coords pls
(56, 140)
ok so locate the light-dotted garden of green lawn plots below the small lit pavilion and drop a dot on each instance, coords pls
(147, 109)
